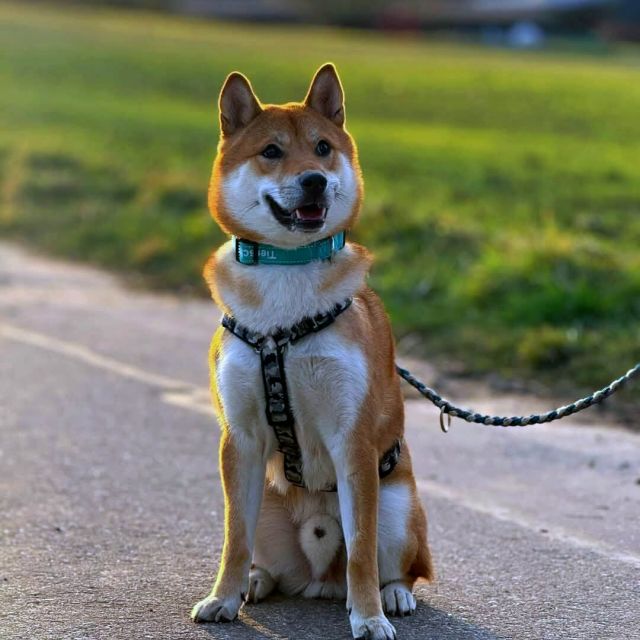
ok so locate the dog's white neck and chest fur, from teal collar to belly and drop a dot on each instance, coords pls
(327, 376)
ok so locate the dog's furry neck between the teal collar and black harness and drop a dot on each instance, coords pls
(267, 297)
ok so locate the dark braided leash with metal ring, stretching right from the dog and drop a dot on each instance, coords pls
(452, 411)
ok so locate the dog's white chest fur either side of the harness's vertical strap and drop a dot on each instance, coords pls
(327, 380)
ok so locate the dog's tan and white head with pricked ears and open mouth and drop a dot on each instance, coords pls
(285, 174)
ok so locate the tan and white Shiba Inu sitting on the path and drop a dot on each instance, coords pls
(305, 344)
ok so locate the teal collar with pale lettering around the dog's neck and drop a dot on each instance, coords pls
(248, 252)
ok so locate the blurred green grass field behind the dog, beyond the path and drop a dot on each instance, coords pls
(502, 189)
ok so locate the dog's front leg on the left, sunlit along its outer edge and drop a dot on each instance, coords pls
(242, 467)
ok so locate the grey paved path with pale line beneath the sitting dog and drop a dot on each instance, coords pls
(111, 510)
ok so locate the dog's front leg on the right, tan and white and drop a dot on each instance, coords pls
(358, 486)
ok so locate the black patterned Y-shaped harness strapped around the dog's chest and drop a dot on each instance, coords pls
(271, 349)
